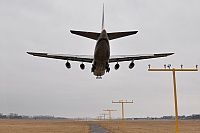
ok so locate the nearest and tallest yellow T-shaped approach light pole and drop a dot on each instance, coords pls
(173, 70)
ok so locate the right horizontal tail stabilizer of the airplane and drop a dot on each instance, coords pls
(116, 35)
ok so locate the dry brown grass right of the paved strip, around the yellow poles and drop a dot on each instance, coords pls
(186, 126)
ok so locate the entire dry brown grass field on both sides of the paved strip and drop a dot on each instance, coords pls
(64, 126)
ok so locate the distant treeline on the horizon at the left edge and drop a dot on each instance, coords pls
(16, 116)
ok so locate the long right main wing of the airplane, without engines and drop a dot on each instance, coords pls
(121, 58)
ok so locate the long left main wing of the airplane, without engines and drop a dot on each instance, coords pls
(81, 58)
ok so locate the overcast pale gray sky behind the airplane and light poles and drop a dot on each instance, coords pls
(38, 86)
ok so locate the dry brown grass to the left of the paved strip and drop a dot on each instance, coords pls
(43, 126)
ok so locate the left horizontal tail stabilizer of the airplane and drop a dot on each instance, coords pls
(91, 35)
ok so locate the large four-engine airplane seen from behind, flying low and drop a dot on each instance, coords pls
(101, 58)
